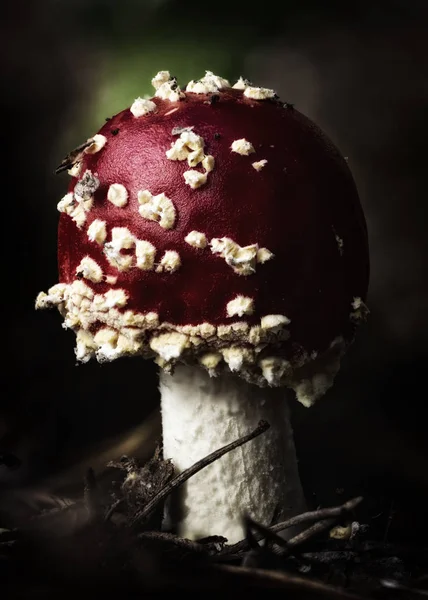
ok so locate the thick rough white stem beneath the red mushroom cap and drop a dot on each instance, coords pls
(201, 414)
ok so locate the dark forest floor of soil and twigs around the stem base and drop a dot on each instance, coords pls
(107, 542)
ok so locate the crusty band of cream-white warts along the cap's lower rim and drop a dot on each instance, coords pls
(130, 333)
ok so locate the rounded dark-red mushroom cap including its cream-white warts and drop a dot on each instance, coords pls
(277, 244)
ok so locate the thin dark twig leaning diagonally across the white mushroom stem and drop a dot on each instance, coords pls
(142, 514)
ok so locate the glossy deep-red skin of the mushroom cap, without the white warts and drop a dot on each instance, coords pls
(295, 206)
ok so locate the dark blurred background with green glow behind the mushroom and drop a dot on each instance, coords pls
(360, 71)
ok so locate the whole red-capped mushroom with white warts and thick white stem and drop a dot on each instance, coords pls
(219, 232)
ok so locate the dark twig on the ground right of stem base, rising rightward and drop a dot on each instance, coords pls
(308, 517)
